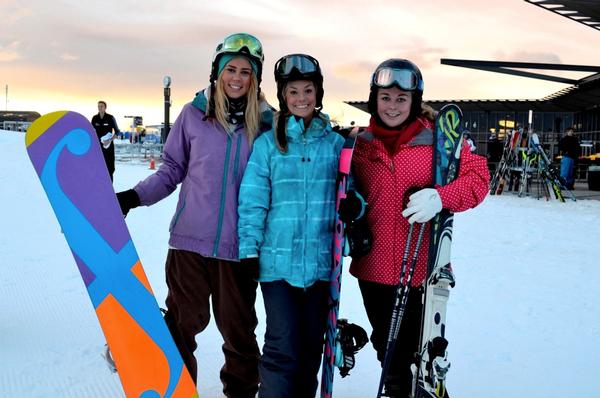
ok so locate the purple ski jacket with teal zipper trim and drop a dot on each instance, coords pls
(209, 163)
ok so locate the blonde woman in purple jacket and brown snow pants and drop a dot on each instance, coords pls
(206, 151)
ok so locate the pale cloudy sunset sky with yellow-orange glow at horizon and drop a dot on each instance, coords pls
(69, 54)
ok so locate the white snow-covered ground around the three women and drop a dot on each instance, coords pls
(523, 320)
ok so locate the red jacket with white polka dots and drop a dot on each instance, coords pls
(384, 180)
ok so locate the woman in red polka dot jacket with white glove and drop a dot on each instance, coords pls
(393, 159)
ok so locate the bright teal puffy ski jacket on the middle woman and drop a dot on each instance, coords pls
(287, 203)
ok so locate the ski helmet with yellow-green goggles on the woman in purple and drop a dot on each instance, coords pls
(238, 44)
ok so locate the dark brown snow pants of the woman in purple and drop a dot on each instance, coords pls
(192, 281)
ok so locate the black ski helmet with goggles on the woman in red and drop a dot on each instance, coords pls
(400, 73)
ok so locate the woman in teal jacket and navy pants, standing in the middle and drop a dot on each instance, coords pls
(286, 219)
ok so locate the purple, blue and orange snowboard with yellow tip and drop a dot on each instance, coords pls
(65, 153)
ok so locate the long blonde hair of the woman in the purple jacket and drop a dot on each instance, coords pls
(251, 114)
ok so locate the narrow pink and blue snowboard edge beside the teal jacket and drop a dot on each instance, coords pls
(329, 354)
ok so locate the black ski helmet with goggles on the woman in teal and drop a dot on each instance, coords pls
(298, 67)
